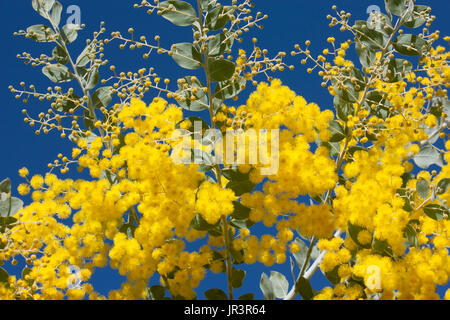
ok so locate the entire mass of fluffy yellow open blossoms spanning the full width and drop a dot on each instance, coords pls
(144, 202)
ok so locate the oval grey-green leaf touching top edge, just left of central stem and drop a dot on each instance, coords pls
(182, 14)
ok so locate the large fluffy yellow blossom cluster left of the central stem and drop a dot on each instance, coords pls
(154, 194)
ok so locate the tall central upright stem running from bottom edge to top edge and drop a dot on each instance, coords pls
(218, 172)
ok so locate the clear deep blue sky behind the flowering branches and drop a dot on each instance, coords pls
(290, 22)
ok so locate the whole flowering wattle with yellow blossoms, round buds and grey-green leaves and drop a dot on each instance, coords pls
(376, 170)
